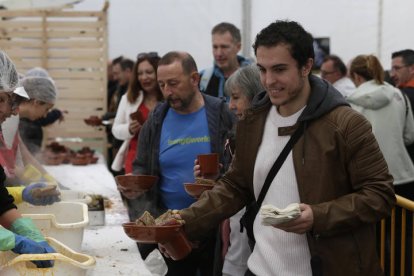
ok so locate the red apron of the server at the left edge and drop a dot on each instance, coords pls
(8, 156)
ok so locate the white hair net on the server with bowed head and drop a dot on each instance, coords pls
(39, 85)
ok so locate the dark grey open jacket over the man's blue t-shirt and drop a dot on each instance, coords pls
(220, 121)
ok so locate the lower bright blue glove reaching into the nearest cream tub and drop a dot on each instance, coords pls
(25, 245)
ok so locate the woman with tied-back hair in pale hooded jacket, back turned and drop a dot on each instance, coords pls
(390, 115)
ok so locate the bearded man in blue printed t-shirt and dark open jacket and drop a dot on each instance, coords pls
(189, 123)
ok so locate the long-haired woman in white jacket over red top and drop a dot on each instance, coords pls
(142, 96)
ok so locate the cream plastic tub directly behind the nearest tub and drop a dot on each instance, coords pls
(64, 221)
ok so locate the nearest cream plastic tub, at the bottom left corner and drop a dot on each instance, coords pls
(66, 262)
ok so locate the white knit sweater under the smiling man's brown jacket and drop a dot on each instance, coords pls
(277, 252)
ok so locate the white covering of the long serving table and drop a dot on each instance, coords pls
(114, 252)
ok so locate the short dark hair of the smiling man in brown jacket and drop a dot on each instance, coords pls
(291, 33)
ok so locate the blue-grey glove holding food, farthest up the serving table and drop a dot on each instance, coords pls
(41, 194)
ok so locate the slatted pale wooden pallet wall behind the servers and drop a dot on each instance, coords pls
(72, 47)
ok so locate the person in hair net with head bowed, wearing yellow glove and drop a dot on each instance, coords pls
(21, 167)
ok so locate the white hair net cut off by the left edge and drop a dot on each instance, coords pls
(9, 78)
